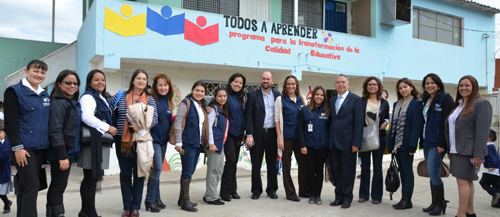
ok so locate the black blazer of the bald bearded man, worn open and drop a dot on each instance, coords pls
(255, 113)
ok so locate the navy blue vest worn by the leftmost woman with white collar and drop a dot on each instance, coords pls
(33, 117)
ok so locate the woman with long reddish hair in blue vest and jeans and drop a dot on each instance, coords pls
(163, 93)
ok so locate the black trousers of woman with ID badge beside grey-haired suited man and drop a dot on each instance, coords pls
(315, 158)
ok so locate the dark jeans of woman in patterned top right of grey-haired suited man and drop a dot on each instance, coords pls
(377, 180)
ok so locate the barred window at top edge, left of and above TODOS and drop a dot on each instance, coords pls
(226, 7)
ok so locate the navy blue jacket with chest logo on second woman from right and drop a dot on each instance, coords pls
(436, 116)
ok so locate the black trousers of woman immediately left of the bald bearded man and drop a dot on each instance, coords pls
(232, 152)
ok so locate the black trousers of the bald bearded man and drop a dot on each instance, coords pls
(267, 144)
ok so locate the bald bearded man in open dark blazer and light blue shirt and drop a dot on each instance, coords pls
(261, 129)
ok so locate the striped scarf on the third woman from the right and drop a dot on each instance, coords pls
(400, 119)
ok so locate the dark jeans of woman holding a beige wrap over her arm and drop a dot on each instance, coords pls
(131, 192)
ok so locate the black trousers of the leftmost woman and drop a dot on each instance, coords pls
(28, 182)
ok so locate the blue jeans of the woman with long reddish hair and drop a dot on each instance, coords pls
(153, 192)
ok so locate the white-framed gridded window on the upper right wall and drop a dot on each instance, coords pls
(437, 27)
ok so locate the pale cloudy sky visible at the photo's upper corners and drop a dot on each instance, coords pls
(32, 19)
